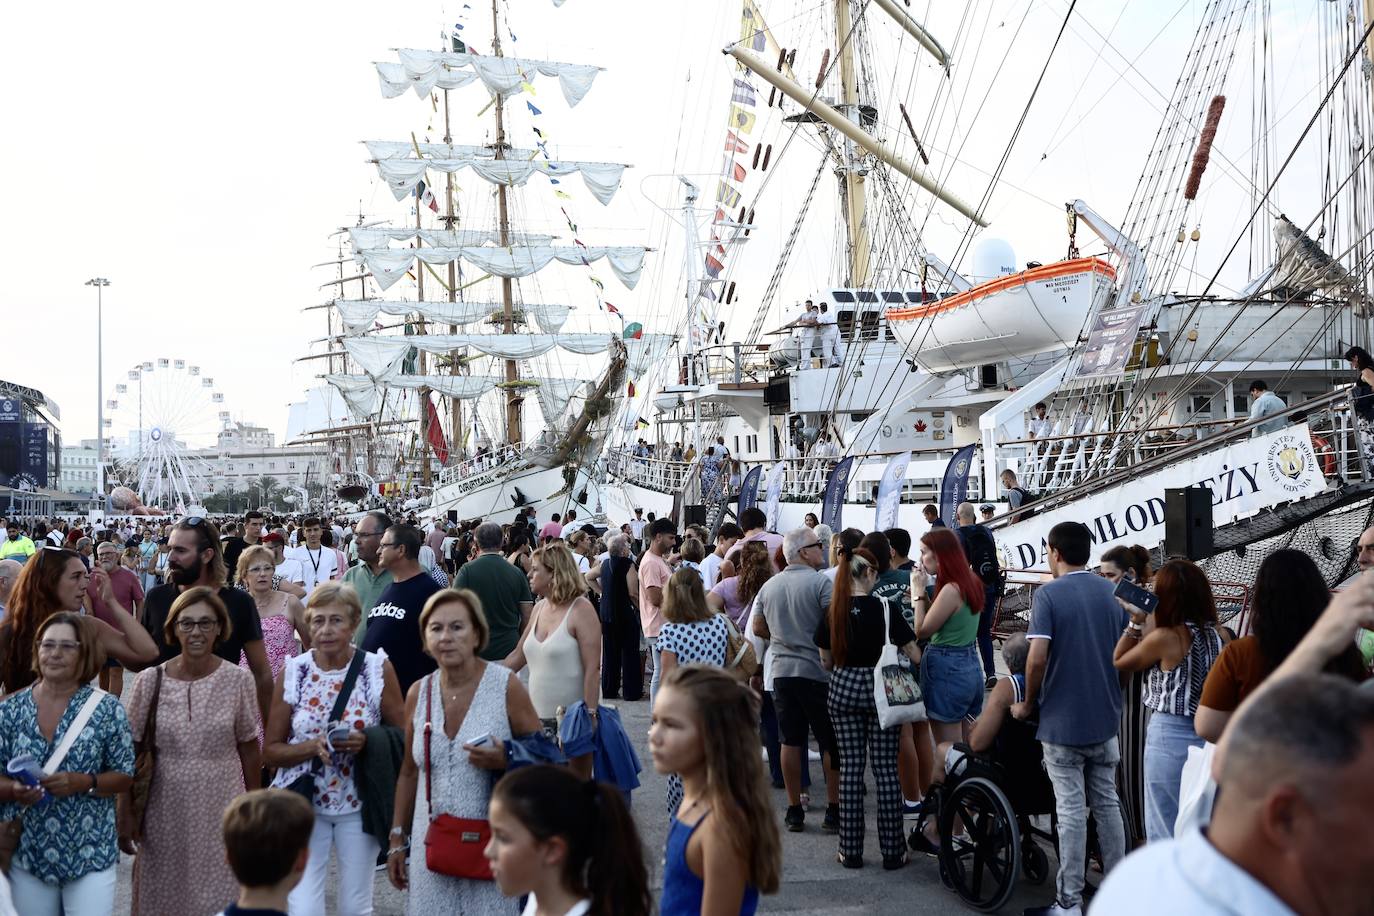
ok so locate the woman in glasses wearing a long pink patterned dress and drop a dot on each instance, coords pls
(207, 755)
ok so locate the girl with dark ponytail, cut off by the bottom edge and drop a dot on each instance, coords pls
(570, 845)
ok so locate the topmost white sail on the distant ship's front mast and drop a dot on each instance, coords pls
(427, 71)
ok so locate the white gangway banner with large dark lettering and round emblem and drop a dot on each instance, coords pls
(1244, 479)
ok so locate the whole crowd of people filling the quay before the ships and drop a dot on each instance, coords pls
(413, 696)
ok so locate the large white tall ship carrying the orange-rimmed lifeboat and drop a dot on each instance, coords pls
(1241, 256)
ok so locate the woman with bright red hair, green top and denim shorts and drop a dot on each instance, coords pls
(951, 675)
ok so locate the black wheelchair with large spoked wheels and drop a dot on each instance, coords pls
(983, 812)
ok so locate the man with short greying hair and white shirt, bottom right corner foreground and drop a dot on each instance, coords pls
(1291, 832)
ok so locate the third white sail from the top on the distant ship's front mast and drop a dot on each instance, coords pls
(627, 263)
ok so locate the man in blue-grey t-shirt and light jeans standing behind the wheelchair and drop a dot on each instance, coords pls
(1075, 627)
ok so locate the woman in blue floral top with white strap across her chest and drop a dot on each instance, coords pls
(68, 852)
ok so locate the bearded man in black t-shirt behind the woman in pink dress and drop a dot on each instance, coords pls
(194, 560)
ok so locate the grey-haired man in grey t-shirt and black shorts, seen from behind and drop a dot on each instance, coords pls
(787, 613)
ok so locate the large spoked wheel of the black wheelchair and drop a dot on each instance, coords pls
(984, 859)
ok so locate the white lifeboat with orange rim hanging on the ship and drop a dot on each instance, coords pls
(1012, 317)
